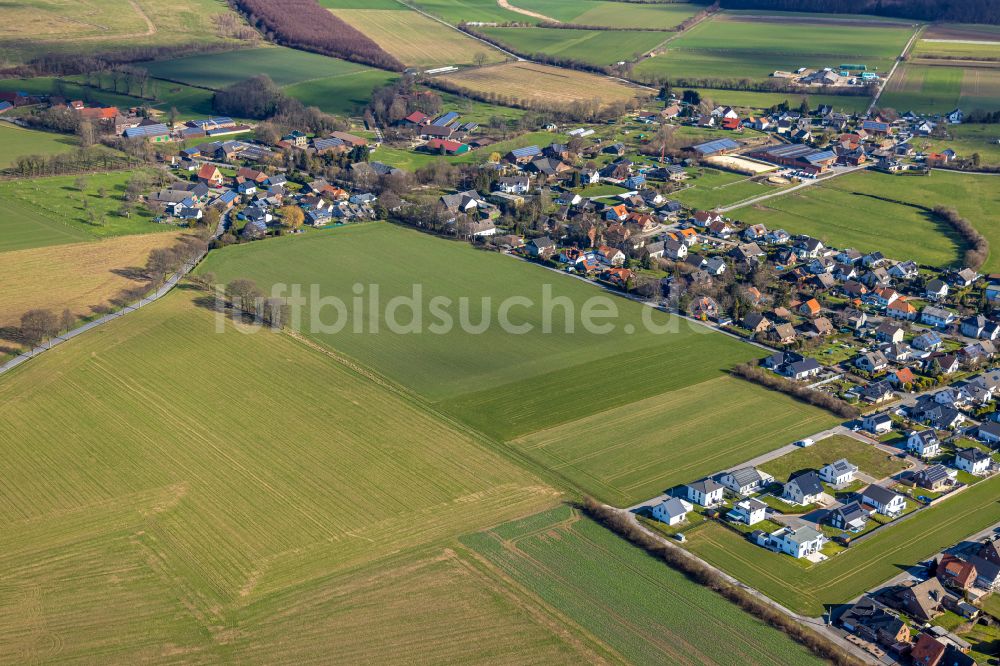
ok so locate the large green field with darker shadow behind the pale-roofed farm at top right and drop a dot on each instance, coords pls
(729, 47)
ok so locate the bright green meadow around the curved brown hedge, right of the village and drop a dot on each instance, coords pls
(845, 210)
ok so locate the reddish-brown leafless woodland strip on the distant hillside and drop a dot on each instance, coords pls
(304, 24)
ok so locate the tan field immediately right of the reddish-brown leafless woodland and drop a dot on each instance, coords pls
(416, 40)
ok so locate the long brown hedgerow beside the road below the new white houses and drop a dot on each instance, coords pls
(697, 571)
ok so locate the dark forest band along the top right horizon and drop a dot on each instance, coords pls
(959, 11)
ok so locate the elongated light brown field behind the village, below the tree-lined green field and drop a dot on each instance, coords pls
(534, 83)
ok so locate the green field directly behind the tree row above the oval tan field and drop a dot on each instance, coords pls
(597, 47)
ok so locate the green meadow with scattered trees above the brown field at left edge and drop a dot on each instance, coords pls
(51, 211)
